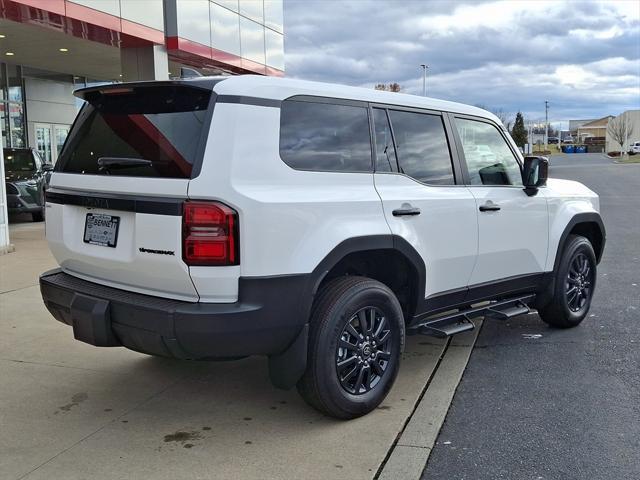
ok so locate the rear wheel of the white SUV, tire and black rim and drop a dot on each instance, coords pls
(355, 387)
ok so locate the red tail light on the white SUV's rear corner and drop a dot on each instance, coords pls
(209, 234)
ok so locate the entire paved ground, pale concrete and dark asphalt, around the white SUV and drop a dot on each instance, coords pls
(533, 402)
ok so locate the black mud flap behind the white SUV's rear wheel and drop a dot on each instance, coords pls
(286, 368)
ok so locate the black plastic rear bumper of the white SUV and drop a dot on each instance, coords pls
(268, 318)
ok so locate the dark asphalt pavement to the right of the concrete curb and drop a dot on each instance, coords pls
(540, 403)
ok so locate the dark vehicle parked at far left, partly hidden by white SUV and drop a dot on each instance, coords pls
(26, 175)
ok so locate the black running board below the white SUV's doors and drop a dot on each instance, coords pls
(461, 321)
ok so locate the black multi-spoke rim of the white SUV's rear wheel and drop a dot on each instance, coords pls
(364, 351)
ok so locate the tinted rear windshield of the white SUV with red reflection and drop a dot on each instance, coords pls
(161, 124)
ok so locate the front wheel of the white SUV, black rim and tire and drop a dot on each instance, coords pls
(574, 284)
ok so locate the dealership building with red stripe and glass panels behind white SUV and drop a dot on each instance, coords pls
(49, 48)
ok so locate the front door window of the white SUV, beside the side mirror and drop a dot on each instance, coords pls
(487, 155)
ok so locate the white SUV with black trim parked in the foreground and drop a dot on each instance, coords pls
(316, 224)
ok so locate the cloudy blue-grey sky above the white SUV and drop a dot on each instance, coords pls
(582, 56)
